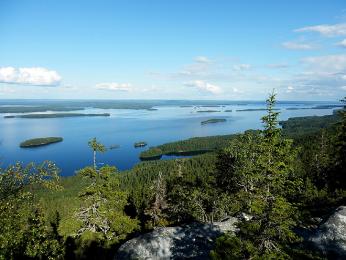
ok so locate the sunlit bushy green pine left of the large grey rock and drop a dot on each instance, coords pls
(102, 215)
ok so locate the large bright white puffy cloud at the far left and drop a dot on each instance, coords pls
(29, 76)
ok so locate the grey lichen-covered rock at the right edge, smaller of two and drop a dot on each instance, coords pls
(330, 237)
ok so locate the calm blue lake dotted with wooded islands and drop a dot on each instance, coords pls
(124, 127)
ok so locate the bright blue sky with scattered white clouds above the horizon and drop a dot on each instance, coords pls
(178, 49)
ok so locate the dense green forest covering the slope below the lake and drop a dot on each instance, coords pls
(284, 178)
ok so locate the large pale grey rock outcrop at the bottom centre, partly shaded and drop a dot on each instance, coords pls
(190, 241)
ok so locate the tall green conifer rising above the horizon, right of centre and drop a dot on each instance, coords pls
(262, 179)
